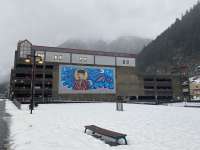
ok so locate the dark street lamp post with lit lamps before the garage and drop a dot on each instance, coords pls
(33, 59)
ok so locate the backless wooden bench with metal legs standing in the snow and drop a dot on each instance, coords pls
(115, 135)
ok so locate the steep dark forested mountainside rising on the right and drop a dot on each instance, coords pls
(178, 45)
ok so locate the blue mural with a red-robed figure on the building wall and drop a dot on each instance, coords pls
(85, 79)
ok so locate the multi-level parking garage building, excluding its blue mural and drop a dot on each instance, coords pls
(45, 79)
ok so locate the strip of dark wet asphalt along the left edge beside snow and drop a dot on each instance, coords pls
(4, 130)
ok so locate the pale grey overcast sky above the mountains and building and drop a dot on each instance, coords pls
(51, 22)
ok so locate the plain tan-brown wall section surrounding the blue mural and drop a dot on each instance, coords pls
(128, 83)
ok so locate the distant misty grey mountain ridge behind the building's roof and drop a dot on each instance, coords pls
(127, 44)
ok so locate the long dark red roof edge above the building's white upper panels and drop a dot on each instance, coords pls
(82, 51)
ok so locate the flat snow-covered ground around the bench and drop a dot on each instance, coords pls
(61, 127)
